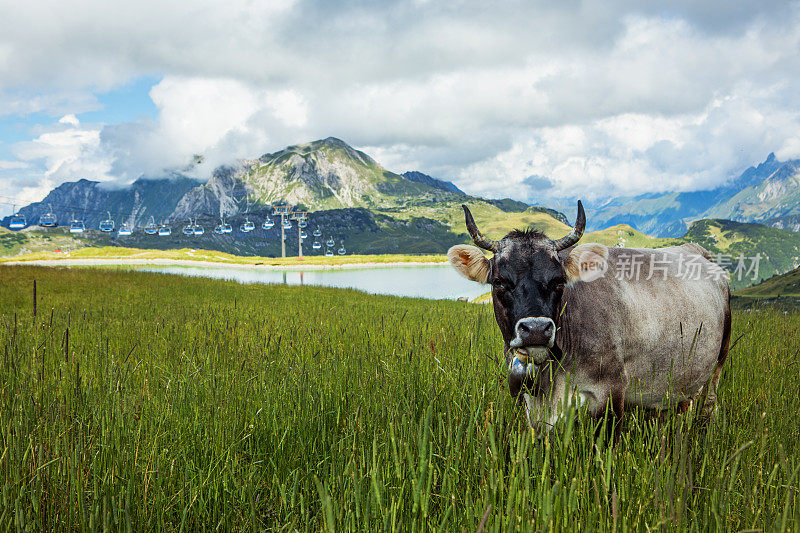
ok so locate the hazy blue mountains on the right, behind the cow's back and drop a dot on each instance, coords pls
(760, 192)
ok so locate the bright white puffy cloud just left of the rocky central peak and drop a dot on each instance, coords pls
(223, 119)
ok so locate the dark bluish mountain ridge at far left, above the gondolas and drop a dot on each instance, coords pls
(91, 201)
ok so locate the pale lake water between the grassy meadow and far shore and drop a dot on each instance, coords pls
(435, 281)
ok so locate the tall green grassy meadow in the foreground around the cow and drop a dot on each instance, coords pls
(136, 401)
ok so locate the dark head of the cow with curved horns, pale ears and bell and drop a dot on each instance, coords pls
(528, 279)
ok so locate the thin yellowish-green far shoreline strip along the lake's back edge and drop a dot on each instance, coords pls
(214, 264)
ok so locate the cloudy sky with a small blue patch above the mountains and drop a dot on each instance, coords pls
(521, 99)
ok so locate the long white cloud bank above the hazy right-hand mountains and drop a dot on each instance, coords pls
(629, 154)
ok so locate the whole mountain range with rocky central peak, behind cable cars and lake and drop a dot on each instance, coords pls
(344, 189)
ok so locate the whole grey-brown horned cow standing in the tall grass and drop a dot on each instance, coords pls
(602, 327)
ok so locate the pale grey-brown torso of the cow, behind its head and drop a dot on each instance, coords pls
(657, 317)
